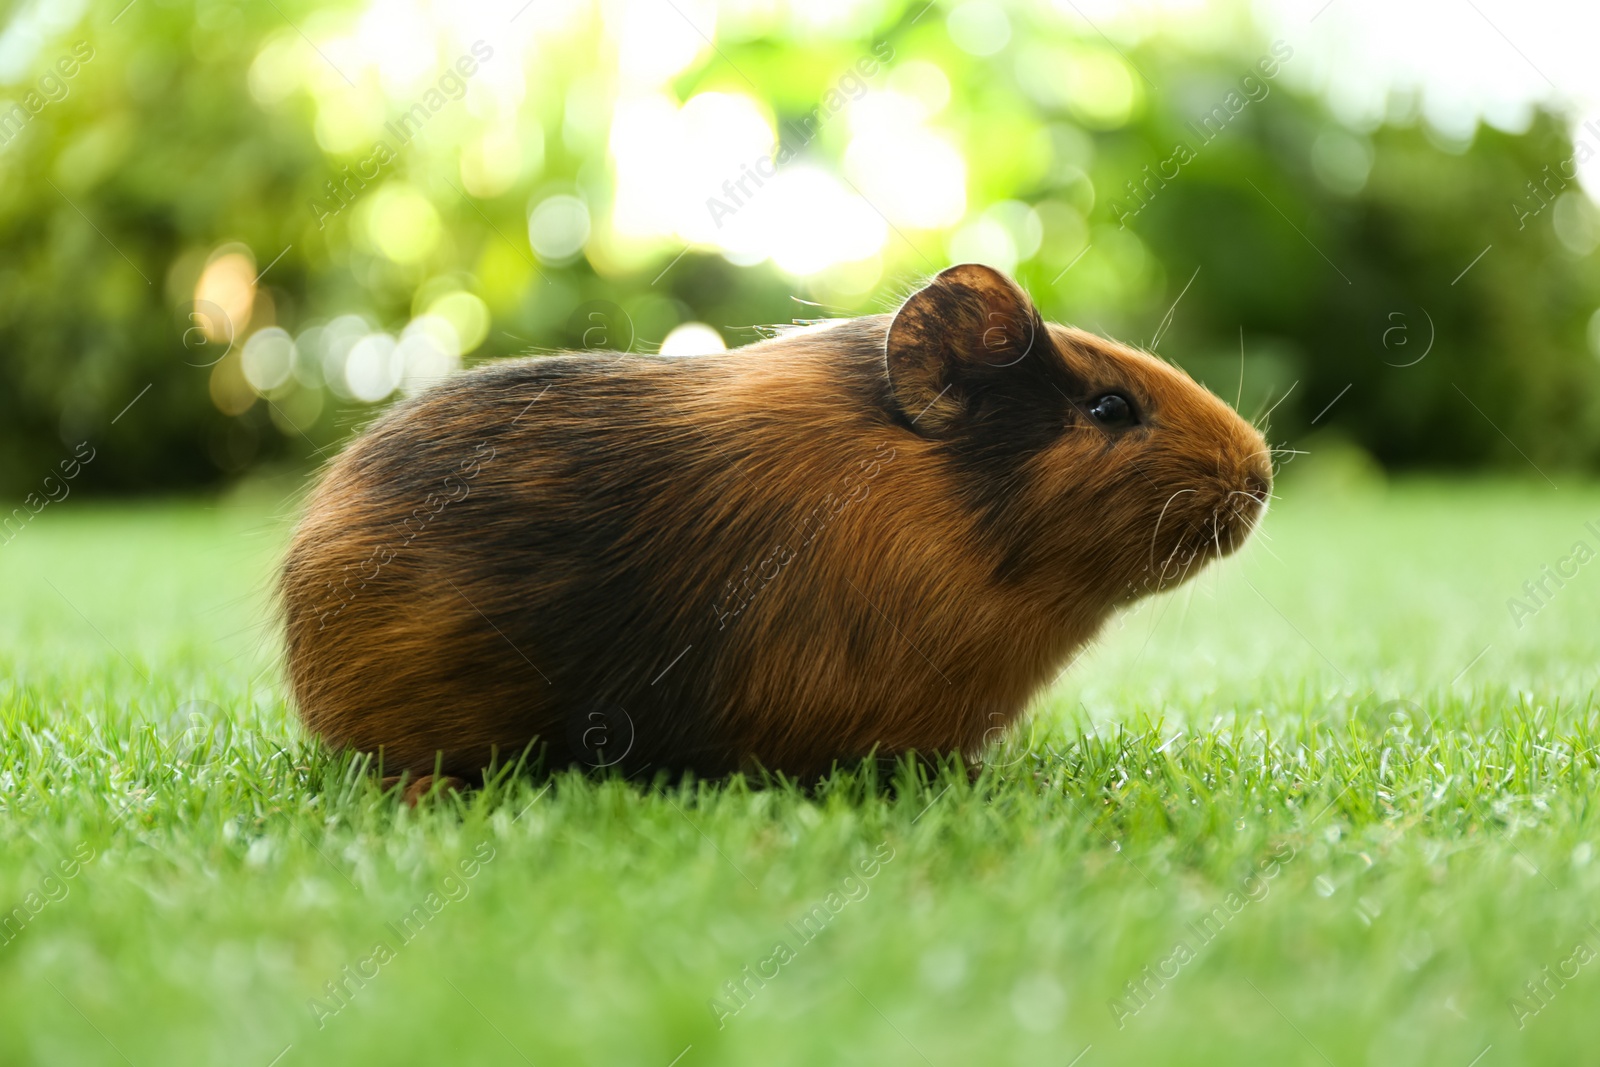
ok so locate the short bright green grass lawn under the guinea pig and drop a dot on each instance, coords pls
(1431, 858)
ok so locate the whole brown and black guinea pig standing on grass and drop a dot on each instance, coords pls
(878, 535)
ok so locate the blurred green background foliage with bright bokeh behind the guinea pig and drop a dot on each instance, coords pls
(257, 225)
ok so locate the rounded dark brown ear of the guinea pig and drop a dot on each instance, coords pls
(950, 338)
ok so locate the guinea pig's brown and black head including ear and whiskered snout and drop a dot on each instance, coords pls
(1098, 470)
